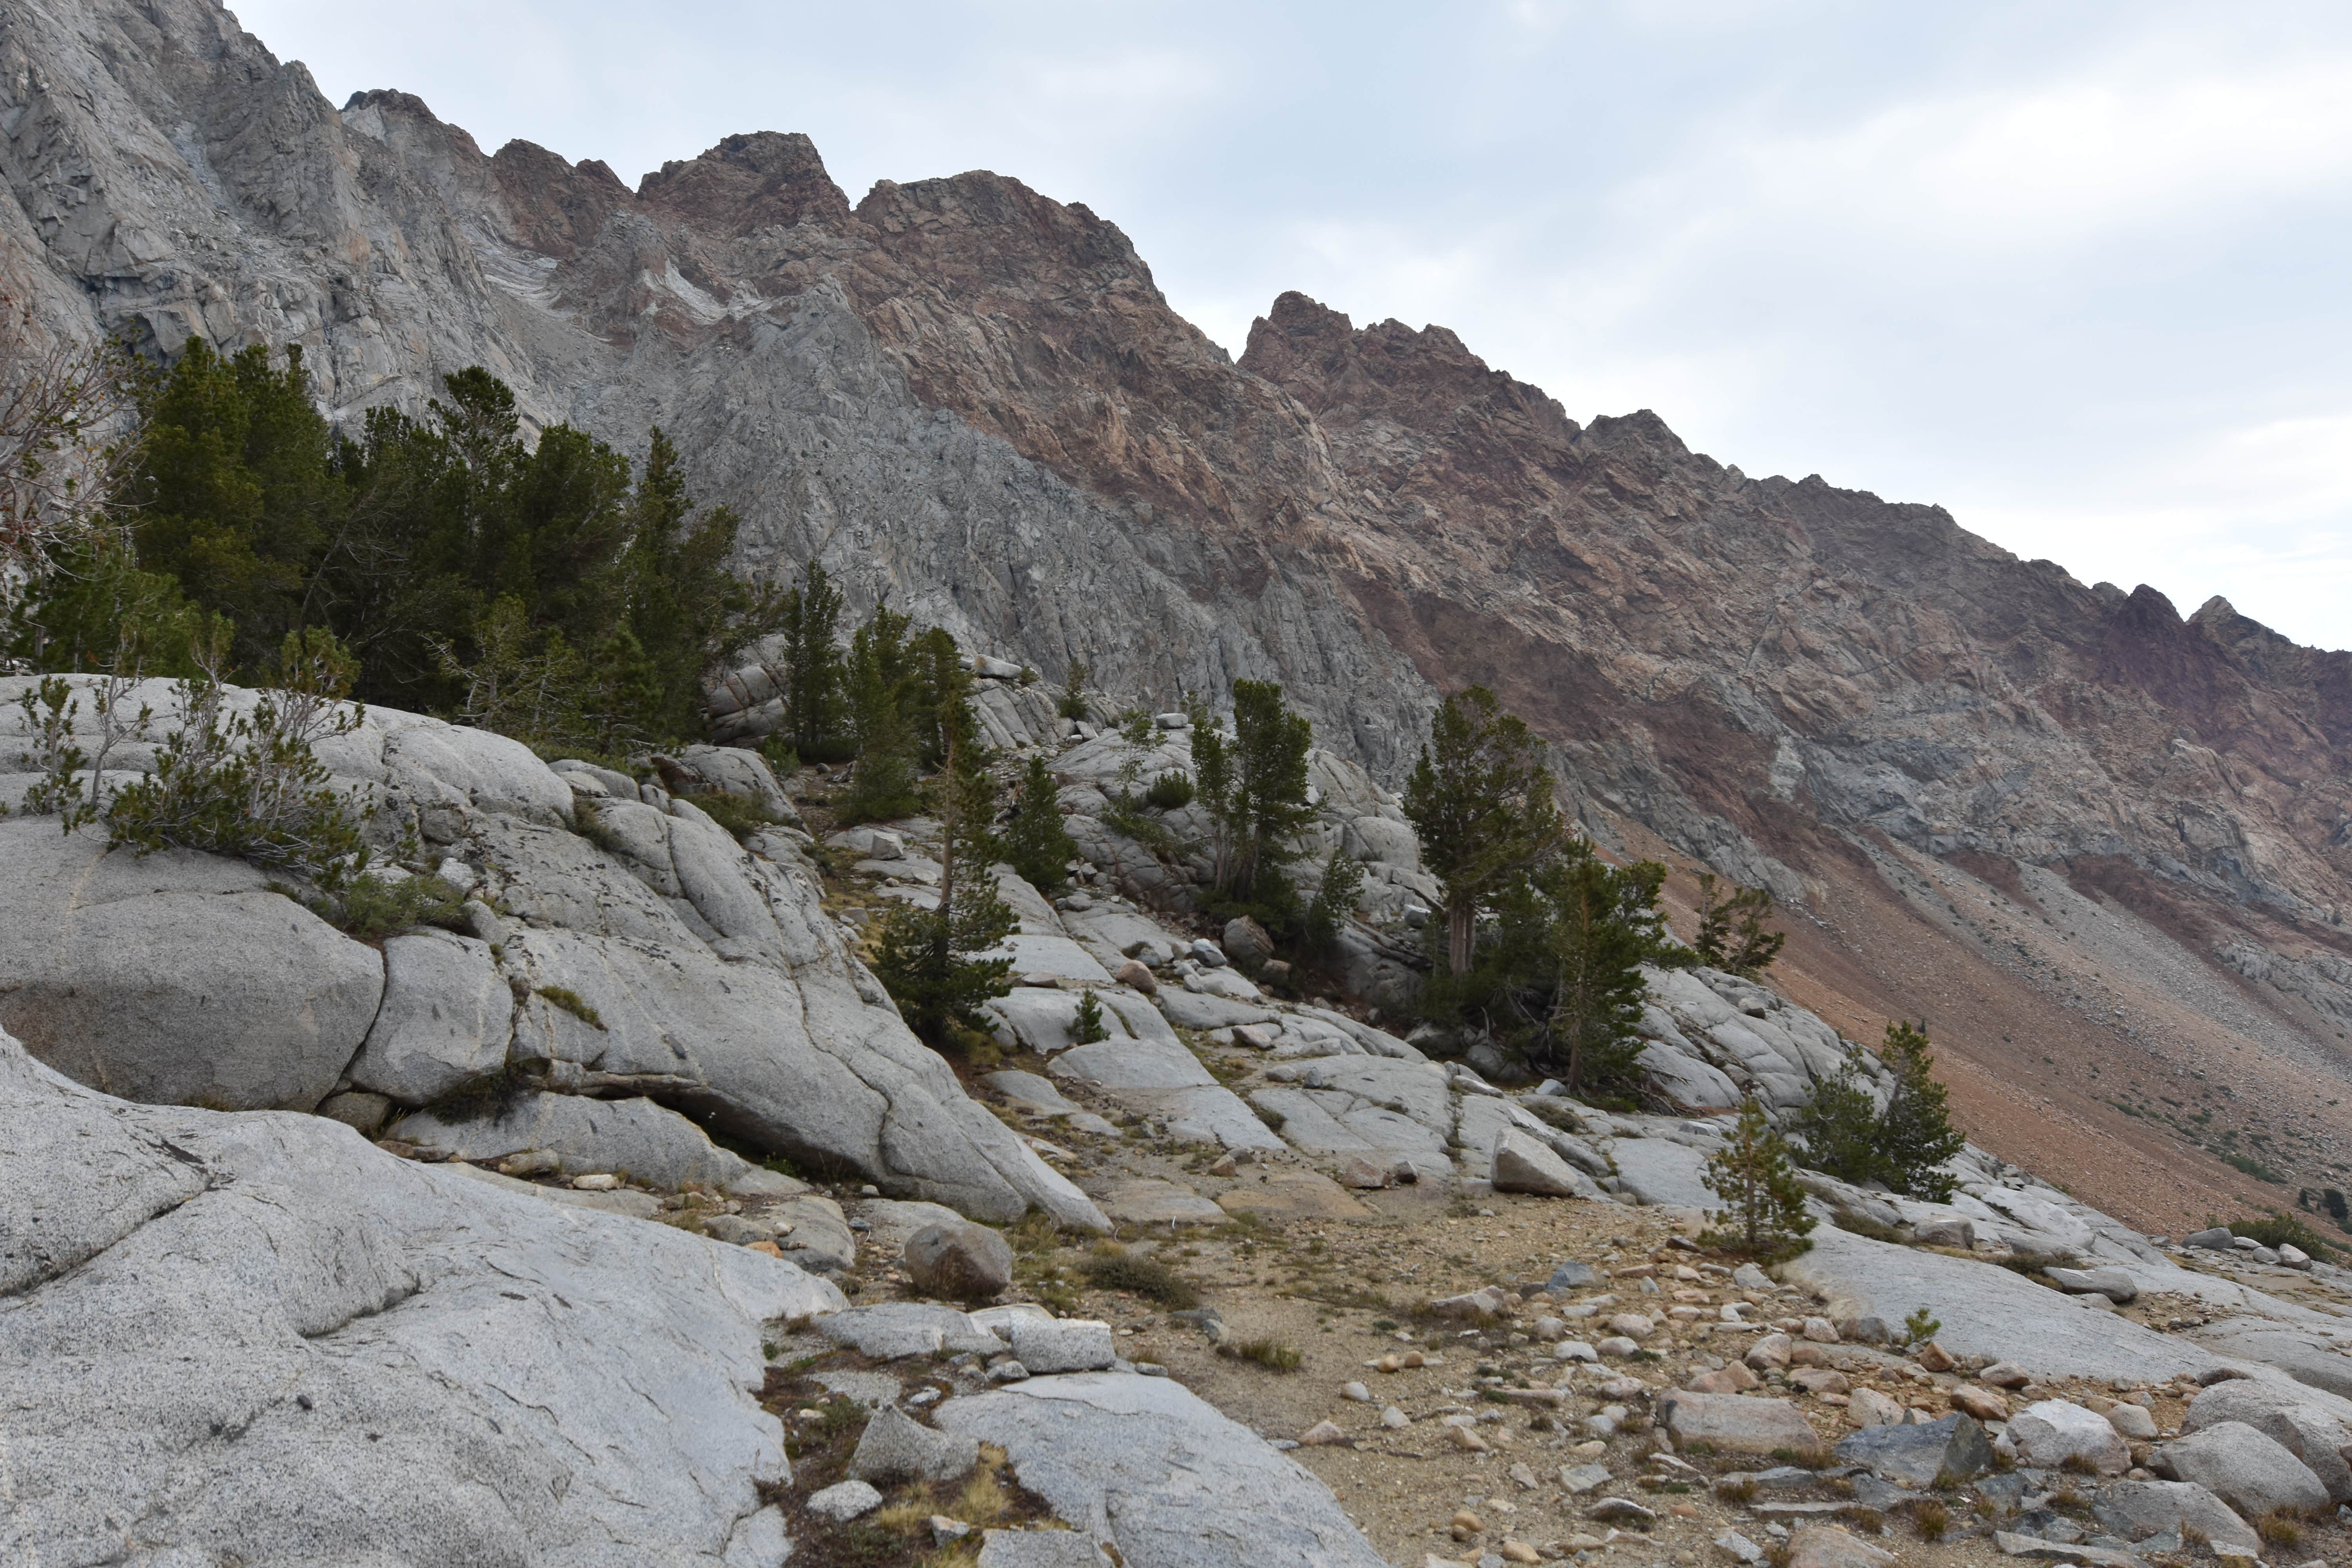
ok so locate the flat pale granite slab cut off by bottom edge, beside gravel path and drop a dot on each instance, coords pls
(1154, 1470)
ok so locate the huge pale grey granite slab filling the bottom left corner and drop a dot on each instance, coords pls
(260, 1339)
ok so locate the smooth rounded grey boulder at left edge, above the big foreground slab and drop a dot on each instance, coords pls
(178, 977)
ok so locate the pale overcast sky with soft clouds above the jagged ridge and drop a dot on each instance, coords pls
(2073, 272)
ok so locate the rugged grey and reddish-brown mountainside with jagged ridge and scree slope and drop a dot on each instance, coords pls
(2097, 845)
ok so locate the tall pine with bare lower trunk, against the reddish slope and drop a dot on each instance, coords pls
(1483, 805)
